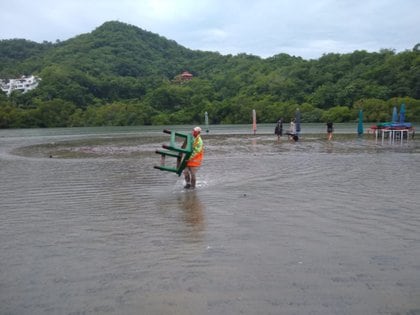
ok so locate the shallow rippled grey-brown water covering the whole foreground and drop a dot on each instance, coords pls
(88, 226)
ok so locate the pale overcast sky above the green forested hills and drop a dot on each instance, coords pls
(305, 28)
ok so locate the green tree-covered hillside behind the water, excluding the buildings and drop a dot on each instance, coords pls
(120, 74)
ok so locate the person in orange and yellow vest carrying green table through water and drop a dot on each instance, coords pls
(195, 159)
